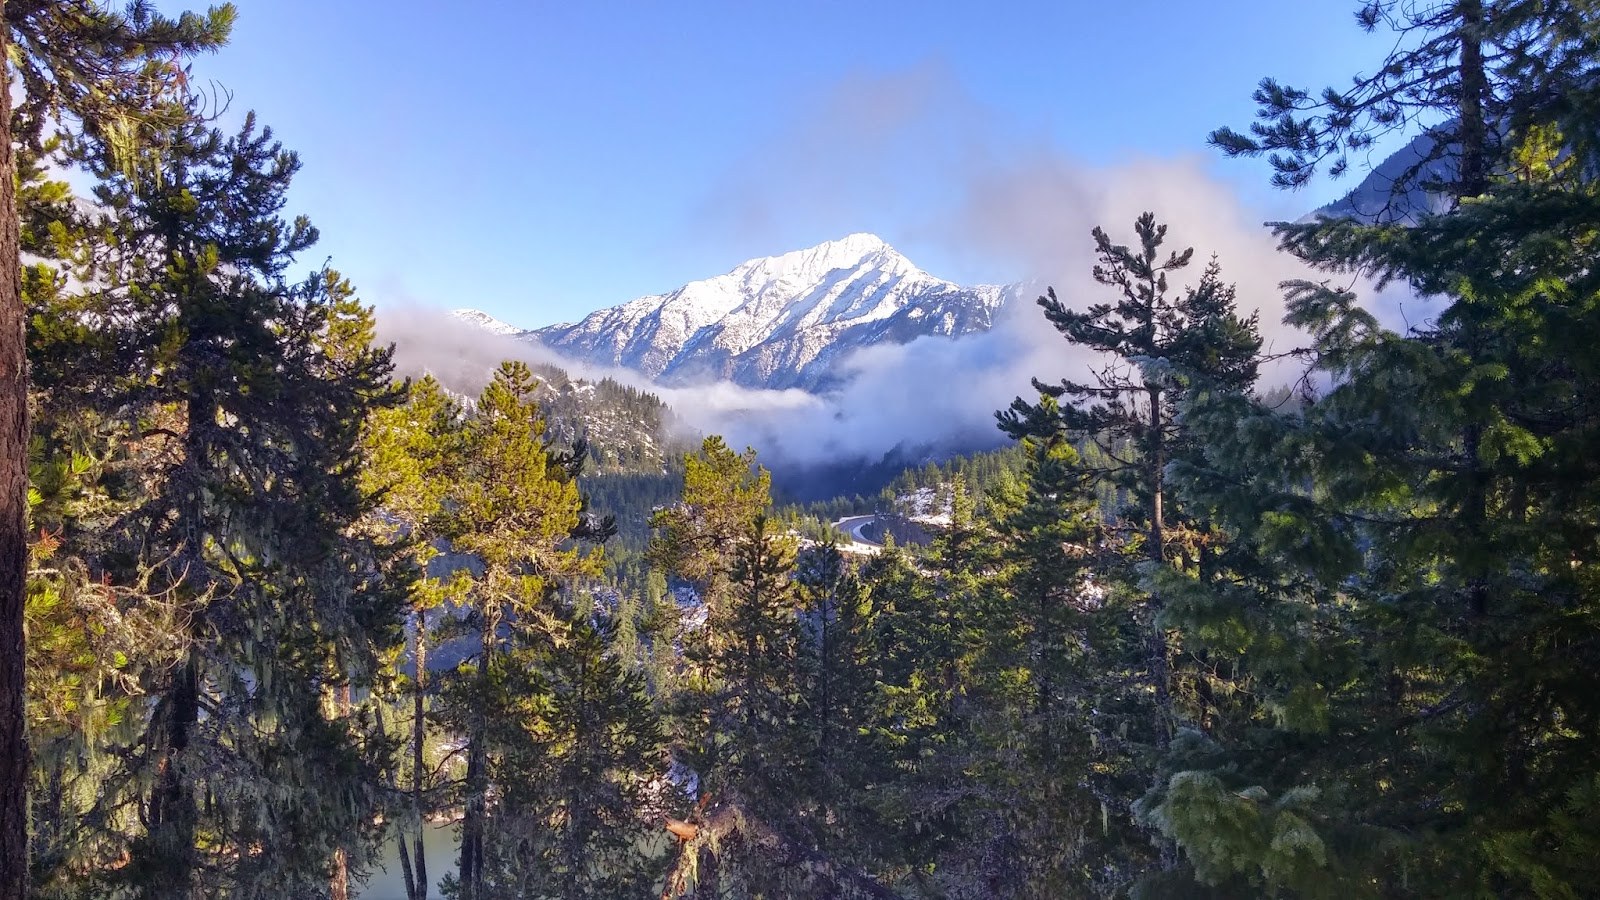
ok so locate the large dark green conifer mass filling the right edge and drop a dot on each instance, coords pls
(1406, 605)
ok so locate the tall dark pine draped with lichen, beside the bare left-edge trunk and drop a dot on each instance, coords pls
(234, 401)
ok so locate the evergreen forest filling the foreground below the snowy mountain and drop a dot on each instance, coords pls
(286, 616)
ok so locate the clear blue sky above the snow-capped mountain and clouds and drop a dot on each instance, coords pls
(540, 161)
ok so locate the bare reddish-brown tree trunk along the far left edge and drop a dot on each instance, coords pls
(14, 515)
